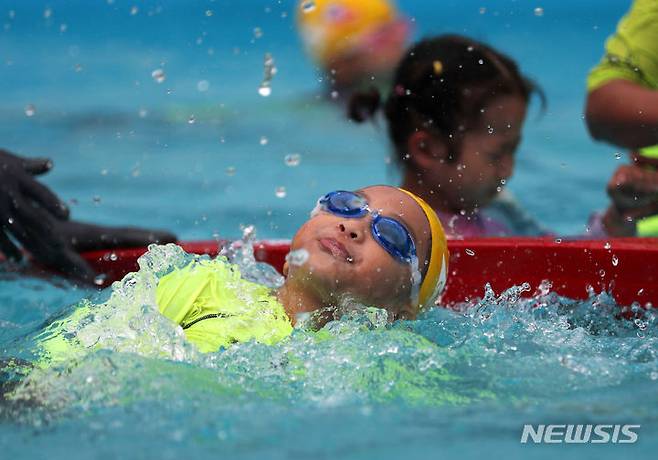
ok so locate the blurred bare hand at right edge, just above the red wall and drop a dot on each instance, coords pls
(634, 194)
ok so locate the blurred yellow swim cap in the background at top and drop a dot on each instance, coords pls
(330, 28)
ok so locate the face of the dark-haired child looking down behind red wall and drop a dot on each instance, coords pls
(487, 155)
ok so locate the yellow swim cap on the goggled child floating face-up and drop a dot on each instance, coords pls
(437, 269)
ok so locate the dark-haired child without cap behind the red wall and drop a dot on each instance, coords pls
(455, 117)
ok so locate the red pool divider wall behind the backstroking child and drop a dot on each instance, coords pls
(625, 267)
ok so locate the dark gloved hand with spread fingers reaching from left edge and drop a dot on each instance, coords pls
(39, 221)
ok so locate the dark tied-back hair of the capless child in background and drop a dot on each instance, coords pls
(441, 85)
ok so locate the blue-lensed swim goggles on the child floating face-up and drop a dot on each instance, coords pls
(392, 235)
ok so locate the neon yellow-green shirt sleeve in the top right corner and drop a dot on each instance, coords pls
(631, 53)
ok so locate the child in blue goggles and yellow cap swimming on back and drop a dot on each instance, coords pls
(379, 246)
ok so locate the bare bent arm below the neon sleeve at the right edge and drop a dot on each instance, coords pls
(623, 113)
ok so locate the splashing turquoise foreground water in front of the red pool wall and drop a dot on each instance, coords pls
(452, 383)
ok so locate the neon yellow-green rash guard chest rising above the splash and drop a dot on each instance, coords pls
(216, 307)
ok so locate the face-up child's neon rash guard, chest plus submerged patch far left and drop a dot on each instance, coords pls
(209, 299)
